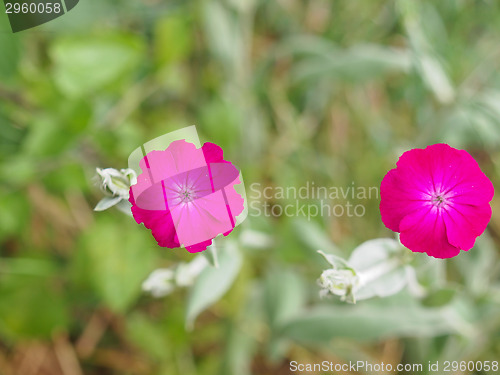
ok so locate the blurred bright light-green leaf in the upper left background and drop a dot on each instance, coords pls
(86, 64)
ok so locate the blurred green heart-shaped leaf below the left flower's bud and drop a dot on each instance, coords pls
(116, 262)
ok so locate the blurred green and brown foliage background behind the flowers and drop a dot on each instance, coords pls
(293, 91)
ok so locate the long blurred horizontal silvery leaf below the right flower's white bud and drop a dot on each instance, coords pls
(373, 320)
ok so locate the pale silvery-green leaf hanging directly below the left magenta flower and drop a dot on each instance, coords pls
(213, 283)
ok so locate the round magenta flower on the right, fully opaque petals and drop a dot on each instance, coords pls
(437, 199)
